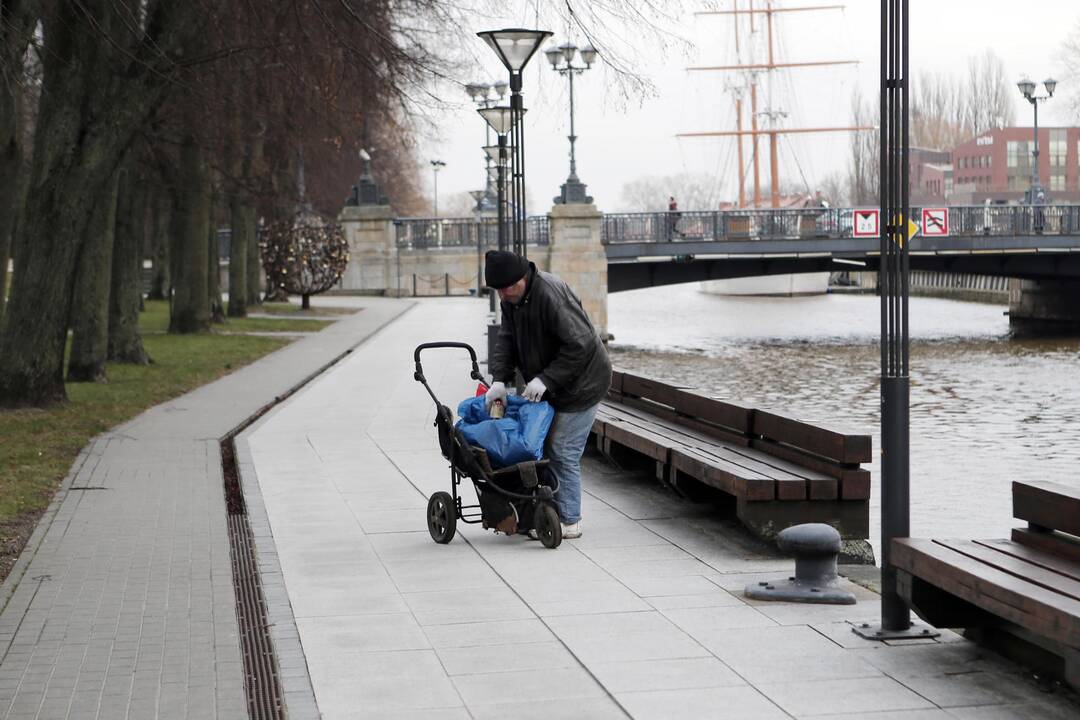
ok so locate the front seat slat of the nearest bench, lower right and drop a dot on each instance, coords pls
(1042, 612)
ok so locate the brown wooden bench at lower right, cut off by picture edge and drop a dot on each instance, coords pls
(1021, 595)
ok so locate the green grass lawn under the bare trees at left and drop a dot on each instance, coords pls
(38, 446)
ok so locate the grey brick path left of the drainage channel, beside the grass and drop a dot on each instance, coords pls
(123, 605)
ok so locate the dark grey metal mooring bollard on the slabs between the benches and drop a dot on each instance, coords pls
(816, 547)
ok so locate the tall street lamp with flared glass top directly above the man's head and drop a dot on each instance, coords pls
(516, 47)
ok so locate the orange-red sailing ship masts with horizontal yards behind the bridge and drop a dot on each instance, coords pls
(773, 131)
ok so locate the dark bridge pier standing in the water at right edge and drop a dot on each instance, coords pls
(1045, 307)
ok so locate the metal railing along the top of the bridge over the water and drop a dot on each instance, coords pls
(827, 223)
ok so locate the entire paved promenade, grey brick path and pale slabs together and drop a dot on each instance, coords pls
(124, 604)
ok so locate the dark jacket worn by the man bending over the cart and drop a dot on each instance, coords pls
(549, 335)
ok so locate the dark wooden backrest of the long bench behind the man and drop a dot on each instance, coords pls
(768, 432)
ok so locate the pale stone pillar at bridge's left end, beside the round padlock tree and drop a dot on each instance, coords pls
(373, 251)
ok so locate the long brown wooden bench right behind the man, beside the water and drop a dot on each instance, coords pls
(780, 472)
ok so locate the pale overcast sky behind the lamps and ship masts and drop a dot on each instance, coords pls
(624, 140)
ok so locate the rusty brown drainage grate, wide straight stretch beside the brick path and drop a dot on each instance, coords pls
(262, 683)
